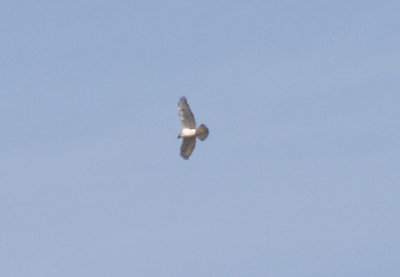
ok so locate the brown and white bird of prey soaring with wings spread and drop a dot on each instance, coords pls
(189, 131)
